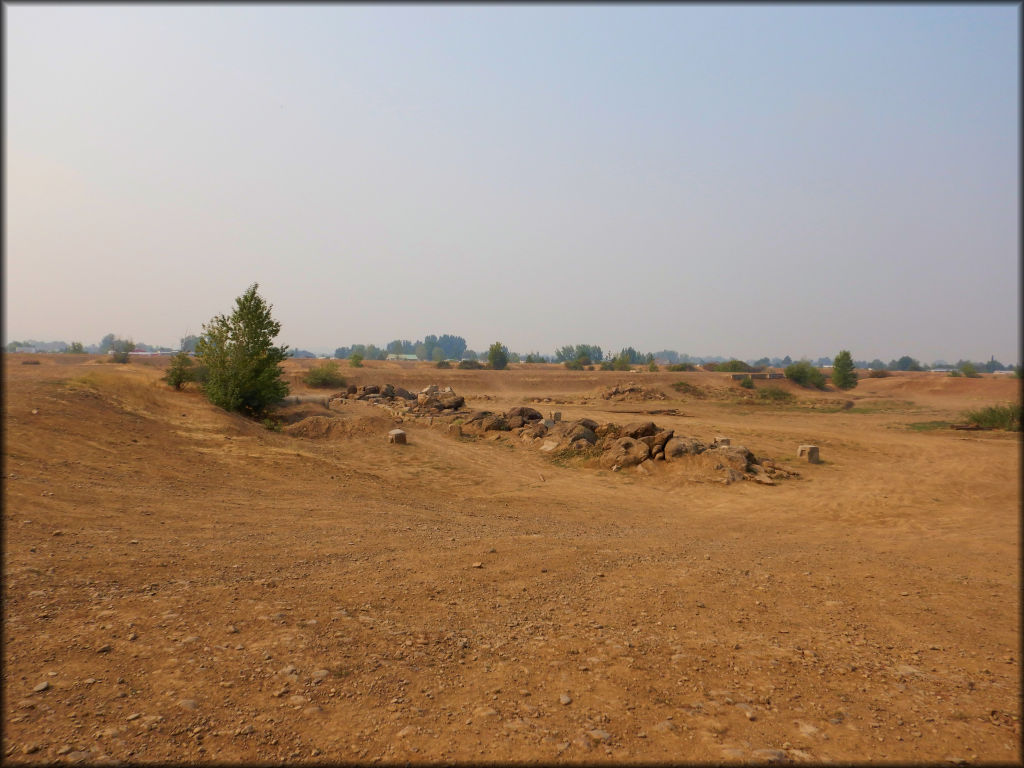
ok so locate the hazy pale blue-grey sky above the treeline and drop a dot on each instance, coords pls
(741, 181)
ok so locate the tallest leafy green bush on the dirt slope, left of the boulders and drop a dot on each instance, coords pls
(244, 372)
